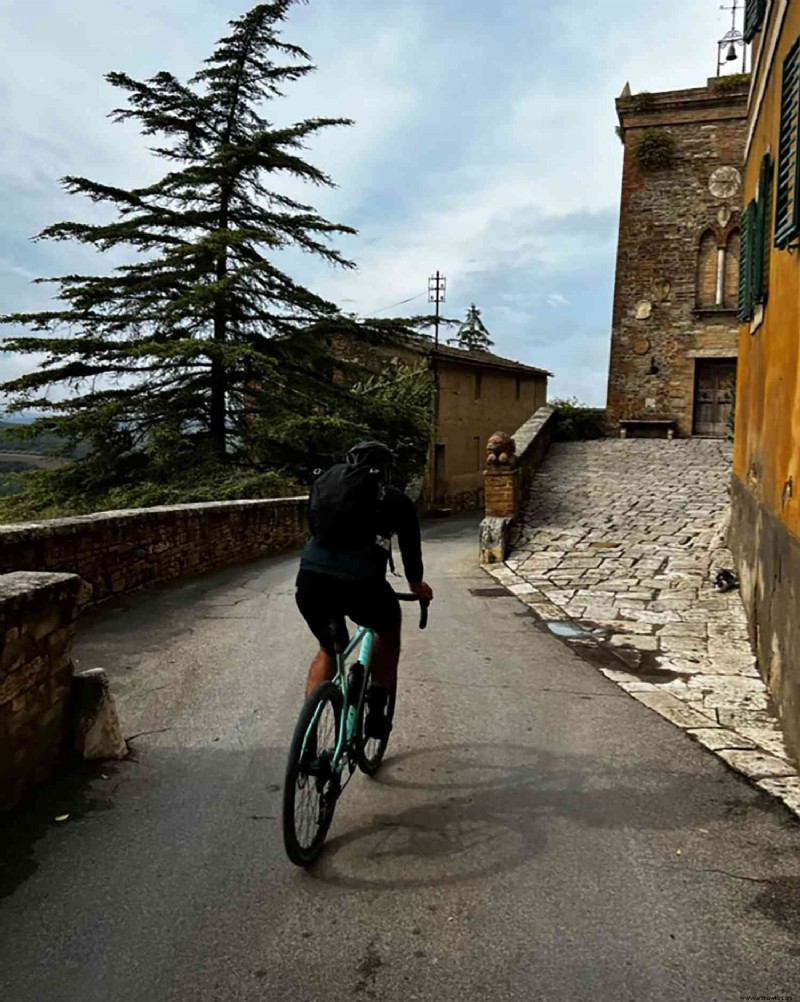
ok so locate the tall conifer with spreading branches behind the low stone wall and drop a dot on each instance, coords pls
(200, 351)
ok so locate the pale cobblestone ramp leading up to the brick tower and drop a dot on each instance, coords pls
(624, 539)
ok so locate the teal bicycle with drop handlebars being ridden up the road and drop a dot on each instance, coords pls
(329, 742)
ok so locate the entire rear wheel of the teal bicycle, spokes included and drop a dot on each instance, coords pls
(312, 786)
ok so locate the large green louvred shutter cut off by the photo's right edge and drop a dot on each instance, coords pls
(787, 208)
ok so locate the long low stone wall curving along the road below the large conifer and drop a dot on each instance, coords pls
(121, 552)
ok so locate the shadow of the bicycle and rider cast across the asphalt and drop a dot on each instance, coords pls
(483, 810)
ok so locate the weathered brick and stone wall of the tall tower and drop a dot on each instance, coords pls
(671, 227)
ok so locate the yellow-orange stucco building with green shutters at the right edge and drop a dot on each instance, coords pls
(765, 533)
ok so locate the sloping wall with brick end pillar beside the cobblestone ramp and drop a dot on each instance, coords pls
(508, 485)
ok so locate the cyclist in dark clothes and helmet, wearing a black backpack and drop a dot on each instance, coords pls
(353, 514)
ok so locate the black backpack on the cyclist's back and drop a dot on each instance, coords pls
(343, 509)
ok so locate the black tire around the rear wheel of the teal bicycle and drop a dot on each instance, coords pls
(302, 850)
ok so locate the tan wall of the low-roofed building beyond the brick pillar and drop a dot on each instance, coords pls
(474, 404)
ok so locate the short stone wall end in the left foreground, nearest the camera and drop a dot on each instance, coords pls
(38, 624)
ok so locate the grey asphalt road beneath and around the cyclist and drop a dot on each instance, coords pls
(535, 833)
